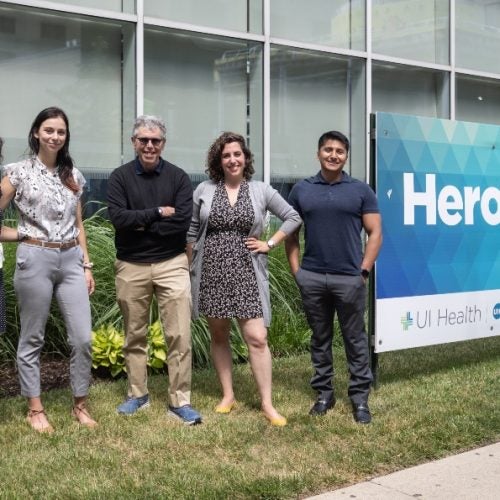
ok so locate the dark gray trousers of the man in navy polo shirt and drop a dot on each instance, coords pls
(322, 296)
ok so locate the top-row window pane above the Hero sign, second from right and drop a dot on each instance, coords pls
(411, 29)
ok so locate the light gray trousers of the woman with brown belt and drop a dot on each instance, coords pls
(41, 273)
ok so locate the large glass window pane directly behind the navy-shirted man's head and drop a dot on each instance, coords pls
(312, 93)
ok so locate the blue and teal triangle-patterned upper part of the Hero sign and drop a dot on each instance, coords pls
(427, 258)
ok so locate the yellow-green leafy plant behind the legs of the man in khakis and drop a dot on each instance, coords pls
(107, 349)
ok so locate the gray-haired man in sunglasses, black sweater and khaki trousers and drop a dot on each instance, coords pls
(150, 202)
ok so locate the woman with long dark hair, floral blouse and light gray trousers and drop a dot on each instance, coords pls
(51, 260)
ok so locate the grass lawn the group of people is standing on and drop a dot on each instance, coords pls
(431, 402)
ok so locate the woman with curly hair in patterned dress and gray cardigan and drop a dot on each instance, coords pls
(229, 262)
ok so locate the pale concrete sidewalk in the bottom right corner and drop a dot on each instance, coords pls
(471, 475)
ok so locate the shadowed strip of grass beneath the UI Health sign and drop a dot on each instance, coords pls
(409, 363)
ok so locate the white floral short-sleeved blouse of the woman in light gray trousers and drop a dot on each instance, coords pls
(47, 208)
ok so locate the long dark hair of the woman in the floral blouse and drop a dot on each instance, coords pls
(64, 162)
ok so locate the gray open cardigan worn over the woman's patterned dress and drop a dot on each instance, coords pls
(263, 198)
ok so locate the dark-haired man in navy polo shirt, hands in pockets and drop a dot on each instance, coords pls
(334, 270)
